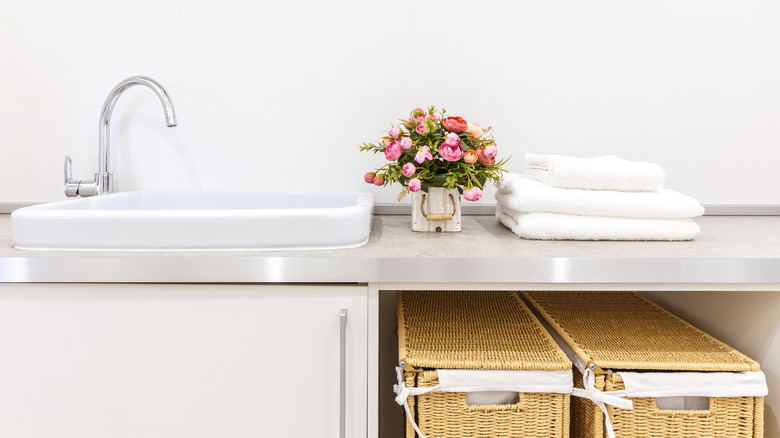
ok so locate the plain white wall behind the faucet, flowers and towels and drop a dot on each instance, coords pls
(276, 95)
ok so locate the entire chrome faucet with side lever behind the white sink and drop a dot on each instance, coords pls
(103, 182)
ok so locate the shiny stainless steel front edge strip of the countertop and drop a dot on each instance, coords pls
(750, 271)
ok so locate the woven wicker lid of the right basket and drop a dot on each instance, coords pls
(622, 330)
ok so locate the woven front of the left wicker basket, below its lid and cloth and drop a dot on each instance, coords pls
(441, 414)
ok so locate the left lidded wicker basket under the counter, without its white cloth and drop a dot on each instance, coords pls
(477, 331)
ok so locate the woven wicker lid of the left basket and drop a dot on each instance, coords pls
(473, 330)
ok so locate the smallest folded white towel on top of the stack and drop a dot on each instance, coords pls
(601, 173)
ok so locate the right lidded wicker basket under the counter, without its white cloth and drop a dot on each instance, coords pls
(621, 332)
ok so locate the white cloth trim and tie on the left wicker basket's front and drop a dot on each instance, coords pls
(559, 382)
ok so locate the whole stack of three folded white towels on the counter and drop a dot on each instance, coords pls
(604, 198)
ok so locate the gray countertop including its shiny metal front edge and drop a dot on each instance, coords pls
(729, 250)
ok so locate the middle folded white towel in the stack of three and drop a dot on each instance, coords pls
(525, 195)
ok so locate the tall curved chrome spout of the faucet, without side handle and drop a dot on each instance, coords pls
(103, 177)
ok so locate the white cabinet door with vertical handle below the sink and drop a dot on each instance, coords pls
(180, 361)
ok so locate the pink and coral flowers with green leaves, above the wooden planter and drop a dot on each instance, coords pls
(431, 150)
